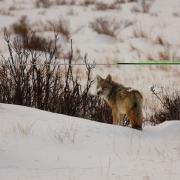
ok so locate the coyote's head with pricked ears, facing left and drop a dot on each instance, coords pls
(103, 85)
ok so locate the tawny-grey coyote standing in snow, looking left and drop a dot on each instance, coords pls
(122, 100)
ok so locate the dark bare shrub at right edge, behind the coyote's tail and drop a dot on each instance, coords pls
(170, 110)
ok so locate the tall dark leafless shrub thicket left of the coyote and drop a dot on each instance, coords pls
(35, 79)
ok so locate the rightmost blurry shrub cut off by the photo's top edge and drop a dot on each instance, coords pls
(142, 6)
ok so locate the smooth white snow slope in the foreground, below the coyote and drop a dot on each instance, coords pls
(37, 145)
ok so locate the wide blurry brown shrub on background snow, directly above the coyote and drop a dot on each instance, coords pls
(111, 27)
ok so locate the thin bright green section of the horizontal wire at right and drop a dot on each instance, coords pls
(150, 63)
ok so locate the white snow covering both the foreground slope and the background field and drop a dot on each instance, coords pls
(56, 146)
